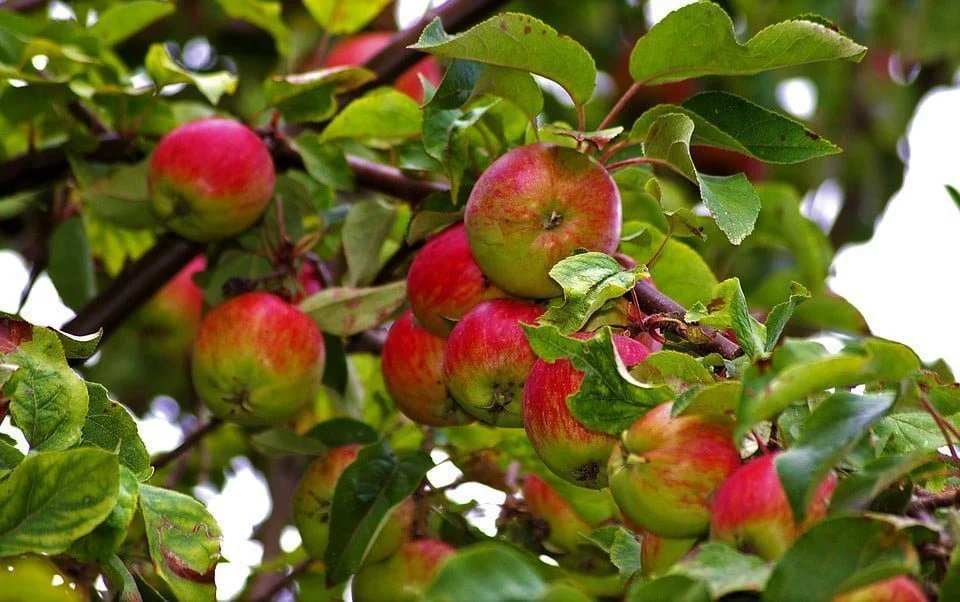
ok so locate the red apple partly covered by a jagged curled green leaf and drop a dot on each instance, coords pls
(571, 450)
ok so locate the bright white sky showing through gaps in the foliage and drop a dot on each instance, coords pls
(903, 281)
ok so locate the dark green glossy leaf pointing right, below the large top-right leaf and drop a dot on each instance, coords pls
(728, 121)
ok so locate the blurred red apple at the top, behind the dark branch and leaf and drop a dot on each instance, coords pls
(357, 49)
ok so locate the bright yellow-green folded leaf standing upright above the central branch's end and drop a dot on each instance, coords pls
(728, 309)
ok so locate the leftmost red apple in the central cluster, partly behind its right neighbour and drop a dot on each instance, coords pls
(412, 364)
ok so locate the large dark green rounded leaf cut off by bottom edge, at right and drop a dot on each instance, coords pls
(844, 553)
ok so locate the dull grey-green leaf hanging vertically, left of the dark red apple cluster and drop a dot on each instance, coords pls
(366, 228)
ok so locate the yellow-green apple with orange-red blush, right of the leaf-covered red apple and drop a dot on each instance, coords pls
(664, 470)
